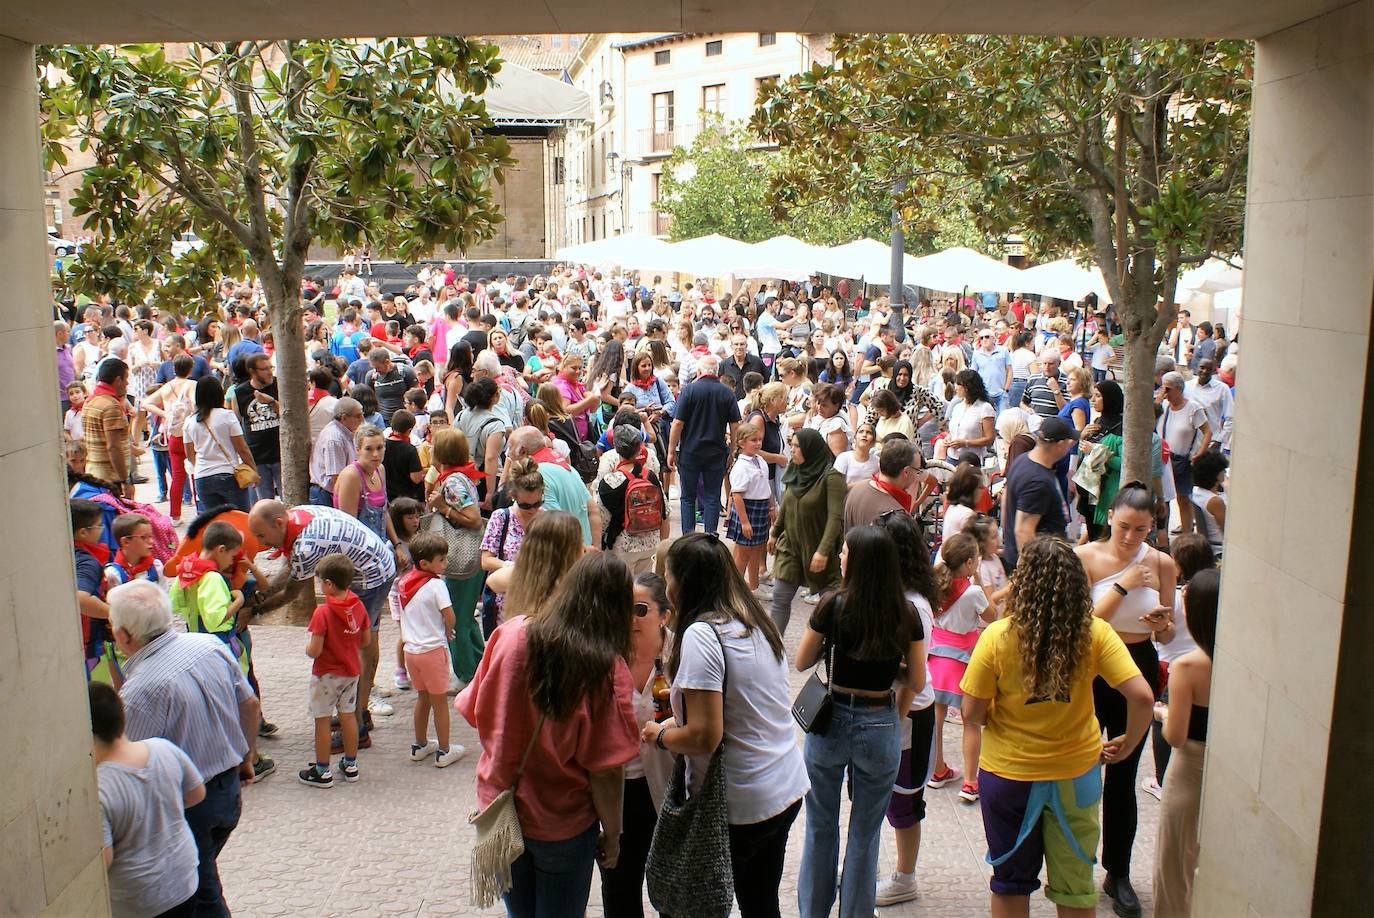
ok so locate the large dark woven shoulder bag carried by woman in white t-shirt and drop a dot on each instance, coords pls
(689, 871)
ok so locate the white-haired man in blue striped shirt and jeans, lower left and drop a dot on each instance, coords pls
(190, 691)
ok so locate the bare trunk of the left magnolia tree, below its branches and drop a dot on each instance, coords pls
(289, 340)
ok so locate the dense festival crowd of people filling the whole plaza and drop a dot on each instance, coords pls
(494, 464)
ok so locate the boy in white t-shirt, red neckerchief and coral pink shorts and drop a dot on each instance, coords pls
(427, 629)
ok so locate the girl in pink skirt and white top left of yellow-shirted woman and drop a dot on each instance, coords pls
(962, 608)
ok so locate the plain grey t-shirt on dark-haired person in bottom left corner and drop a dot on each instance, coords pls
(144, 820)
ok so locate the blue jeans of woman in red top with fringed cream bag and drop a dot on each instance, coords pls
(553, 879)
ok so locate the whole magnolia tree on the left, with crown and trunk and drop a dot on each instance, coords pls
(260, 149)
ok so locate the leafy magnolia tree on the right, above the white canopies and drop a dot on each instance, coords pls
(1129, 150)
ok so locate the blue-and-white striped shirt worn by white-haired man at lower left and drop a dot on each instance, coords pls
(189, 689)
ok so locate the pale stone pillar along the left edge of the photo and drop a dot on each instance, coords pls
(50, 827)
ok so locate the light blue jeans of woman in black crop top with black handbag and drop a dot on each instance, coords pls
(868, 743)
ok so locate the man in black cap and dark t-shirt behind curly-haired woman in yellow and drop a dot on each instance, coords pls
(1033, 502)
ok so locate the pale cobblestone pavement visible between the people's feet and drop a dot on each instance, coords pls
(396, 843)
